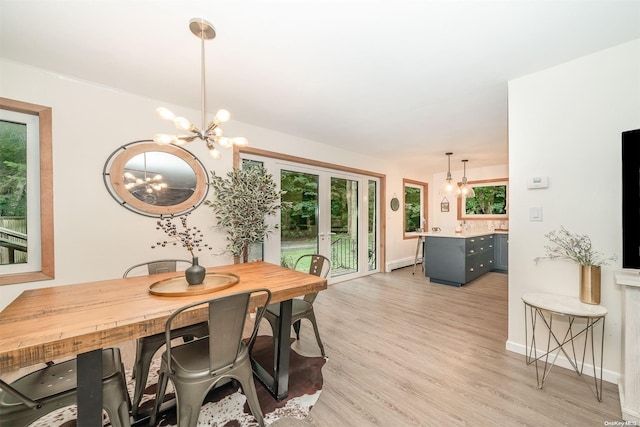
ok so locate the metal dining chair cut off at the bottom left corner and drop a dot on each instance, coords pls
(41, 392)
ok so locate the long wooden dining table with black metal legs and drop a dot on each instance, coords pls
(81, 319)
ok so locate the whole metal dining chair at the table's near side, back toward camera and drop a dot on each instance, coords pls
(197, 366)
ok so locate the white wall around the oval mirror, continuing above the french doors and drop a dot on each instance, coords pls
(97, 239)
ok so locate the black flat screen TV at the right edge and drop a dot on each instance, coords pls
(631, 199)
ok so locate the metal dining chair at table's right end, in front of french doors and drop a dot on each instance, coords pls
(302, 308)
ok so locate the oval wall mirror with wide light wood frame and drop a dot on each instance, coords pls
(155, 180)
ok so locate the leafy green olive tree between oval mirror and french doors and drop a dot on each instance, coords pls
(242, 201)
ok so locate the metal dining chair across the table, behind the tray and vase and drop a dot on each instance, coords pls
(146, 347)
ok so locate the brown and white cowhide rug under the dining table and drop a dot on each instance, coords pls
(226, 406)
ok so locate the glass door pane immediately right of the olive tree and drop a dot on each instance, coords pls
(299, 216)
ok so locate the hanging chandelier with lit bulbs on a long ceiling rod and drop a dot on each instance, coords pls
(212, 134)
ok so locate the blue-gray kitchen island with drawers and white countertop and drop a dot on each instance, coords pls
(460, 258)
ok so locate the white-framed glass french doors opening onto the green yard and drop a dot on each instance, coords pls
(325, 212)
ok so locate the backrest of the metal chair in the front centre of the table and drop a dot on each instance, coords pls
(227, 315)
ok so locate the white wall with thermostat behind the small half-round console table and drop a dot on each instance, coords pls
(566, 122)
